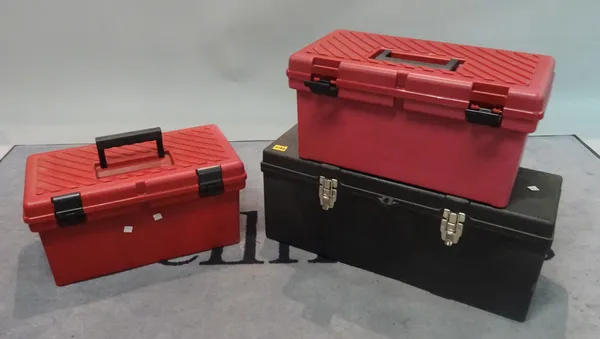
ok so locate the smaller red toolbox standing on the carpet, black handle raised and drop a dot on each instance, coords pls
(116, 205)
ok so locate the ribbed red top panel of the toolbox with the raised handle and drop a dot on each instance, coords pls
(70, 169)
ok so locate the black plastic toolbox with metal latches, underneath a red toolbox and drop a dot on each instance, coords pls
(393, 230)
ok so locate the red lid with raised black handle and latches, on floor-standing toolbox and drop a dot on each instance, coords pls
(72, 185)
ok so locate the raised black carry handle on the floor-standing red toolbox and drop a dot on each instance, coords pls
(129, 138)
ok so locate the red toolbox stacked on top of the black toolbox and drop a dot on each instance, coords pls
(446, 117)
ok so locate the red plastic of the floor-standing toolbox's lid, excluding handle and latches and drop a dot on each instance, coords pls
(134, 172)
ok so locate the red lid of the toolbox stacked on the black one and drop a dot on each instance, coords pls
(432, 77)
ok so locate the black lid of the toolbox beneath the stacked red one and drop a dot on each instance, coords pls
(531, 212)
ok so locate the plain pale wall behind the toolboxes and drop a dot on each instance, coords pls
(70, 68)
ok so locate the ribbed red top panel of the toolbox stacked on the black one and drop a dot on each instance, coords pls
(494, 65)
